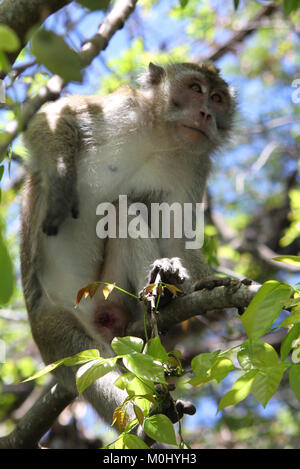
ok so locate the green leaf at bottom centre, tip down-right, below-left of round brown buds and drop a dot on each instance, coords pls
(160, 428)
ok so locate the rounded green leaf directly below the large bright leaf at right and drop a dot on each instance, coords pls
(256, 354)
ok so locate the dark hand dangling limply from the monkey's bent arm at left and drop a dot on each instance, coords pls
(62, 201)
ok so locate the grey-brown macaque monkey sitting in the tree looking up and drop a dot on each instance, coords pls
(152, 144)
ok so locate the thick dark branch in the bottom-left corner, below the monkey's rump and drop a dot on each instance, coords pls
(37, 421)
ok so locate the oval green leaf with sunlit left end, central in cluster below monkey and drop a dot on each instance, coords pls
(144, 367)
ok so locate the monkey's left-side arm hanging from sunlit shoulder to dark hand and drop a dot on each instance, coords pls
(53, 141)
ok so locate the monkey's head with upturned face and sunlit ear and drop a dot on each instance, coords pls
(194, 101)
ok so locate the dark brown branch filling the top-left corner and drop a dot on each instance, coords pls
(22, 15)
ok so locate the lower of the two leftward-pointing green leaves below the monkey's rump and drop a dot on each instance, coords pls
(91, 371)
